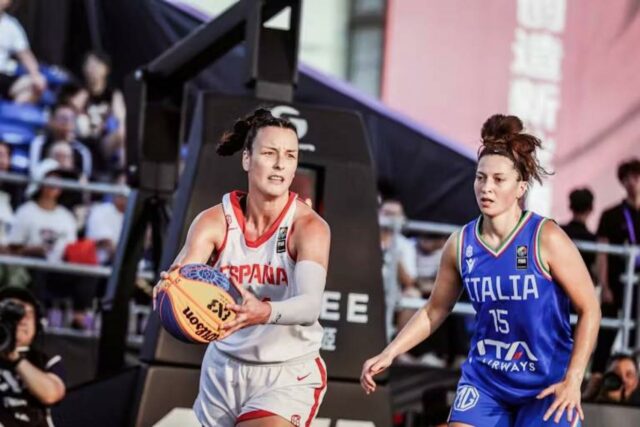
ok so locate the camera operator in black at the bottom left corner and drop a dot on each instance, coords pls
(30, 381)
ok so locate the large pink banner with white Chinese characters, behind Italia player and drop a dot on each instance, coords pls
(570, 69)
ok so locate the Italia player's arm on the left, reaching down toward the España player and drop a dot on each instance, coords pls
(426, 320)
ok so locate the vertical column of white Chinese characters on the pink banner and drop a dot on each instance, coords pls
(536, 73)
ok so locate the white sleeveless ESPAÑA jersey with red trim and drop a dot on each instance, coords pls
(265, 268)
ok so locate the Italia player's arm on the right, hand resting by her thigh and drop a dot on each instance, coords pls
(561, 257)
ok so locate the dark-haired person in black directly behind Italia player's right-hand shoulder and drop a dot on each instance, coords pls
(581, 205)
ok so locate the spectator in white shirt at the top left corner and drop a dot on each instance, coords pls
(14, 42)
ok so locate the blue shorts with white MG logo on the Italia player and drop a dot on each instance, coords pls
(476, 407)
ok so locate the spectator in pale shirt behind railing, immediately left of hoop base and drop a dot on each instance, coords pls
(104, 223)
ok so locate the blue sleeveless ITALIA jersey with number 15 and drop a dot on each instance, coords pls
(522, 339)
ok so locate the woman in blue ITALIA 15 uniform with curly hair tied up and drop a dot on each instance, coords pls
(521, 273)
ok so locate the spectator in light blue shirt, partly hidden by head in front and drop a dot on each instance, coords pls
(61, 128)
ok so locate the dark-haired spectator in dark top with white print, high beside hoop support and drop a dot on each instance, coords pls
(106, 111)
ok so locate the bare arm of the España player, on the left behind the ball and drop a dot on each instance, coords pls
(206, 234)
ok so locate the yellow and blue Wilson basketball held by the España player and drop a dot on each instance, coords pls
(192, 304)
